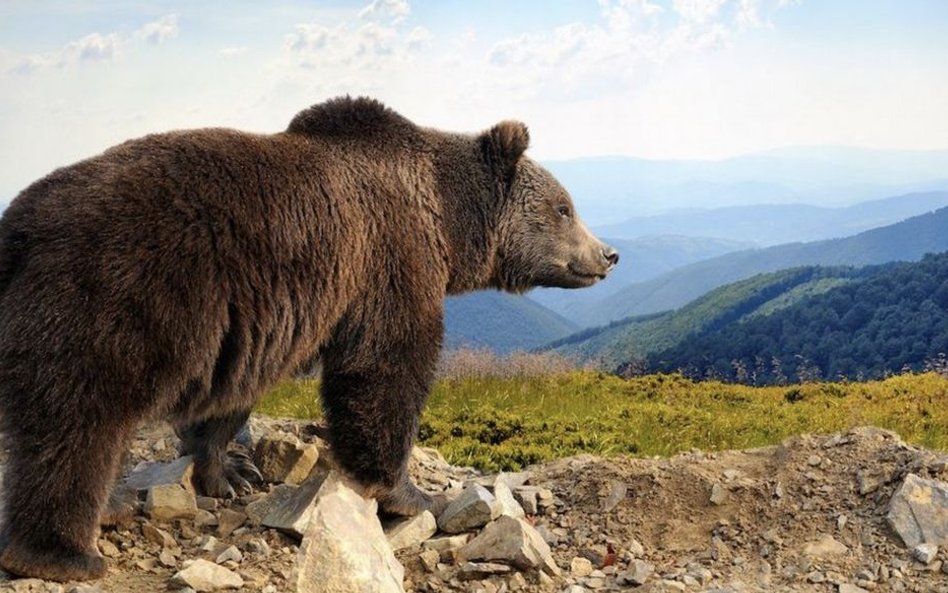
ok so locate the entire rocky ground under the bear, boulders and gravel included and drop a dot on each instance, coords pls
(853, 512)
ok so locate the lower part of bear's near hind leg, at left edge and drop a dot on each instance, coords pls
(55, 488)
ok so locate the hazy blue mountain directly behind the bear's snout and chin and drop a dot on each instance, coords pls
(639, 260)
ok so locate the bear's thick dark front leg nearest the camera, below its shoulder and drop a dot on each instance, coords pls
(373, 395)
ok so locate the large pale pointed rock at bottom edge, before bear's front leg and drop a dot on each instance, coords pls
(344, 548)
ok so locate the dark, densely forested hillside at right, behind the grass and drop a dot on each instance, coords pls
(884, 320)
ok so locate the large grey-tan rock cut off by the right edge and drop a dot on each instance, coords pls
(918, 511)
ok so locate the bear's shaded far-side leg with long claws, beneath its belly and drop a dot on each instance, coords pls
(219, 471)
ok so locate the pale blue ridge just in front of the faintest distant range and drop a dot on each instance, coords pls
(772, 224)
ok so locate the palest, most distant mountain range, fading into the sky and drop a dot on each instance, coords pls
(610, 189)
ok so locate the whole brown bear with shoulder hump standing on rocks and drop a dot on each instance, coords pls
(180, 275)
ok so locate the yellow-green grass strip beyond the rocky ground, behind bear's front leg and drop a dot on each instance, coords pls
(508, 423)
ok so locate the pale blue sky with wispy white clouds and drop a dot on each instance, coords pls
(680, 79)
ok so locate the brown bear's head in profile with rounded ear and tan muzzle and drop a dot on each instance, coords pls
(541, 240)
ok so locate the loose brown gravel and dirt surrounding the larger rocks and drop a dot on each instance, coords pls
(807, 515)
